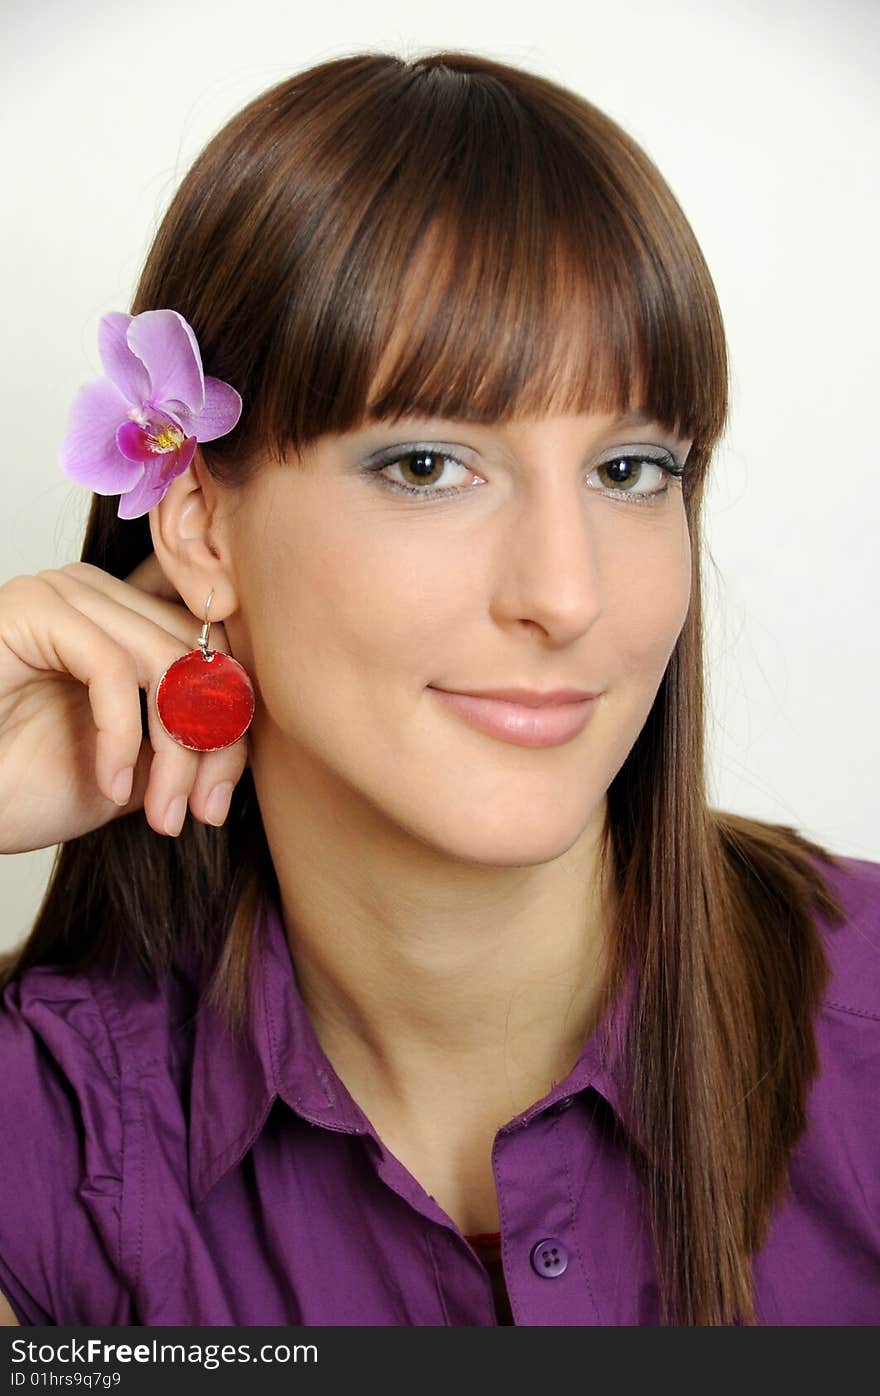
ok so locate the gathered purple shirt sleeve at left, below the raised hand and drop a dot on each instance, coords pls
(75, 1053)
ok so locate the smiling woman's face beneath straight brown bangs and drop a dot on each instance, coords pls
(543, 559)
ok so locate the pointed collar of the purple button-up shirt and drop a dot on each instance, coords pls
(237, 1081)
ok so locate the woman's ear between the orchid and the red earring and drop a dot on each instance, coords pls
(186, 528)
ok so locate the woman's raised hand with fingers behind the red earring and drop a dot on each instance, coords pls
(76, 647)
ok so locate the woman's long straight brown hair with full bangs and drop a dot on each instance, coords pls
(562, 276)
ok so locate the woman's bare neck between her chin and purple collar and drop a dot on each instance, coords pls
(437, 986)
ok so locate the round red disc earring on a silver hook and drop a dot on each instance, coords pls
(206, 700)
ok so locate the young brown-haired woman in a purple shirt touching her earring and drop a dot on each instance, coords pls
(470, 1011)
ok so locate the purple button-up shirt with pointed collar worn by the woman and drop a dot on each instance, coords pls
(152, 1172)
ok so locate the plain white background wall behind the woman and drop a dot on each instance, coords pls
(765, 119)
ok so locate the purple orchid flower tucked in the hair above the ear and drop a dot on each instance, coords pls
(136, 431)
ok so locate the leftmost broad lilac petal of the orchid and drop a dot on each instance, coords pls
(89, 452)
